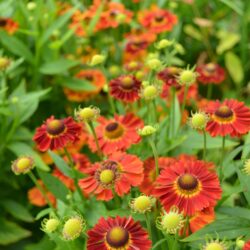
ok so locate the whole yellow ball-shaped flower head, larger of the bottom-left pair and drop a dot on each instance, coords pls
(73, 227)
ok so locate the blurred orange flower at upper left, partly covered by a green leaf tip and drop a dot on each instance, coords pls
(94, 77)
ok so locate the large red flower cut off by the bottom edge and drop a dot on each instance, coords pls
(118, 233)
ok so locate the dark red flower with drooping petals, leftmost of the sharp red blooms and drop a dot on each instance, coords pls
(56, 133)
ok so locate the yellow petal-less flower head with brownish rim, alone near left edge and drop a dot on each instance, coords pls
(23, 165)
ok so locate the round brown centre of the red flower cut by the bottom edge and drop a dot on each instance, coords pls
(117, 237)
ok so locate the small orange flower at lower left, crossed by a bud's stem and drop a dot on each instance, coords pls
(36, 197)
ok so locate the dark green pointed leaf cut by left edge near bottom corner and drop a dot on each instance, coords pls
(11, 232)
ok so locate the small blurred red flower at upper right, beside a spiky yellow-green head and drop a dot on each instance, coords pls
(210, 73)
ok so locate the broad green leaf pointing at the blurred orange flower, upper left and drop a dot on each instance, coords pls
(57, 67)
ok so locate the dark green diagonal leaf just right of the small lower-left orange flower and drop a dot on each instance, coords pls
(54, 185)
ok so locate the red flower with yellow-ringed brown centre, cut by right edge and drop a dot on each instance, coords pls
(230, 117)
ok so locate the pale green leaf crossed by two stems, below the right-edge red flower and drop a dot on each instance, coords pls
(195, 141)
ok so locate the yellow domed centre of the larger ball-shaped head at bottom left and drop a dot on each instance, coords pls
(72, 228)
